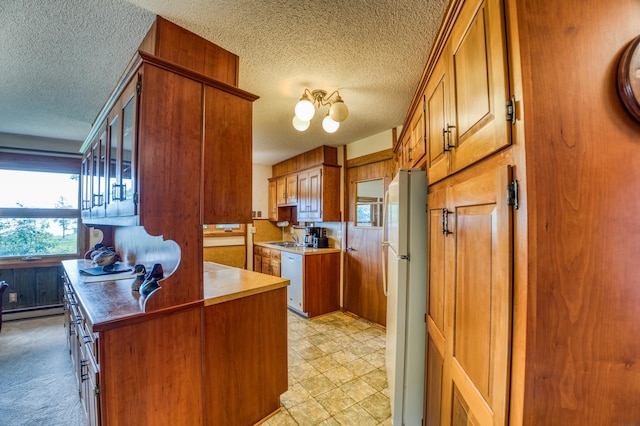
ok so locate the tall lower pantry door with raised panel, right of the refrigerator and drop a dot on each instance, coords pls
(478, 302)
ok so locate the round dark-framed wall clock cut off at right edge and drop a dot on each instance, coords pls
(629, 78)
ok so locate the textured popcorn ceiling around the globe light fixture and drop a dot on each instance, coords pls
(60, 60)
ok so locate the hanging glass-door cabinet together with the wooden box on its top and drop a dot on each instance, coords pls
(170, 136)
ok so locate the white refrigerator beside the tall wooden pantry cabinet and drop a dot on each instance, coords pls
(405, 284)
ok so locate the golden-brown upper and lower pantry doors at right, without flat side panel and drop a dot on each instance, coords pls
(459, 112)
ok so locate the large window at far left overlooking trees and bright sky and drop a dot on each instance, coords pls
(39, 213)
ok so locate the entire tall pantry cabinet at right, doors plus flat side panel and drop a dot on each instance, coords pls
(532, 302)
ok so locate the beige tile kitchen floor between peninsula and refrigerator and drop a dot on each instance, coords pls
(336, 373)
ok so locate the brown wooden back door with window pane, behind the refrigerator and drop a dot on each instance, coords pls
(363, 293)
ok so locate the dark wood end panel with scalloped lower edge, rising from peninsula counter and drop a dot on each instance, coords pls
(169, 193)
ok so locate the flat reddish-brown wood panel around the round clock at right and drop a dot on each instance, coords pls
(583, 171)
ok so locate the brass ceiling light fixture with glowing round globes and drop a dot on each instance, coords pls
(312, 99)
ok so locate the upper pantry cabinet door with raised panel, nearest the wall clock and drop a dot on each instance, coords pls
(478, 68)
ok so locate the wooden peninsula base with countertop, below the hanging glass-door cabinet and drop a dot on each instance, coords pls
(218, 360)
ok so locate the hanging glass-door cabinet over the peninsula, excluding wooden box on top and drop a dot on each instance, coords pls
(225, 142)
